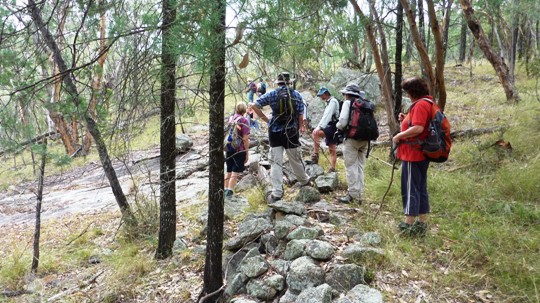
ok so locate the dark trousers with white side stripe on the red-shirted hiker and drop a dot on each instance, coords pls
(414, 188)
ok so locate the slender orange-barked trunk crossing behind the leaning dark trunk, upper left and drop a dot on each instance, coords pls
(96, 81)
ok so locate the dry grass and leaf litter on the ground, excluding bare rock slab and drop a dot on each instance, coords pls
(482, 246)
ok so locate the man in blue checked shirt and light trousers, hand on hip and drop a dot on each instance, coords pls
(284, 129)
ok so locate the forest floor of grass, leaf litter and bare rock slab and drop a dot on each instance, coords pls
(482, 244)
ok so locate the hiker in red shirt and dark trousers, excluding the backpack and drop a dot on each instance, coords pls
(414, 127)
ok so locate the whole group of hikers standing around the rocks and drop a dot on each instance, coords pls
(349, 122)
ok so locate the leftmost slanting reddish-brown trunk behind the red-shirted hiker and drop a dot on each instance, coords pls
(387, 95)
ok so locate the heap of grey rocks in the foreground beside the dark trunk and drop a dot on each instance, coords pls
(284, 256)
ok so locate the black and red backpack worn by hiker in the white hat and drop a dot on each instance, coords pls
(362, 124)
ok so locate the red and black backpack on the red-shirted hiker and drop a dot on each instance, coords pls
(436, 146)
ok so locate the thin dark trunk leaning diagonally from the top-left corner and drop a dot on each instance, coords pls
(91, 125)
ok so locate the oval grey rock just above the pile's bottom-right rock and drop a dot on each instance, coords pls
(343, 277)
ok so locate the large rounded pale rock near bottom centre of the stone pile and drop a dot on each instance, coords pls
(304, 273)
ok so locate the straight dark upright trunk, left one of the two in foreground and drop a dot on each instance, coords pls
(167, 164)
